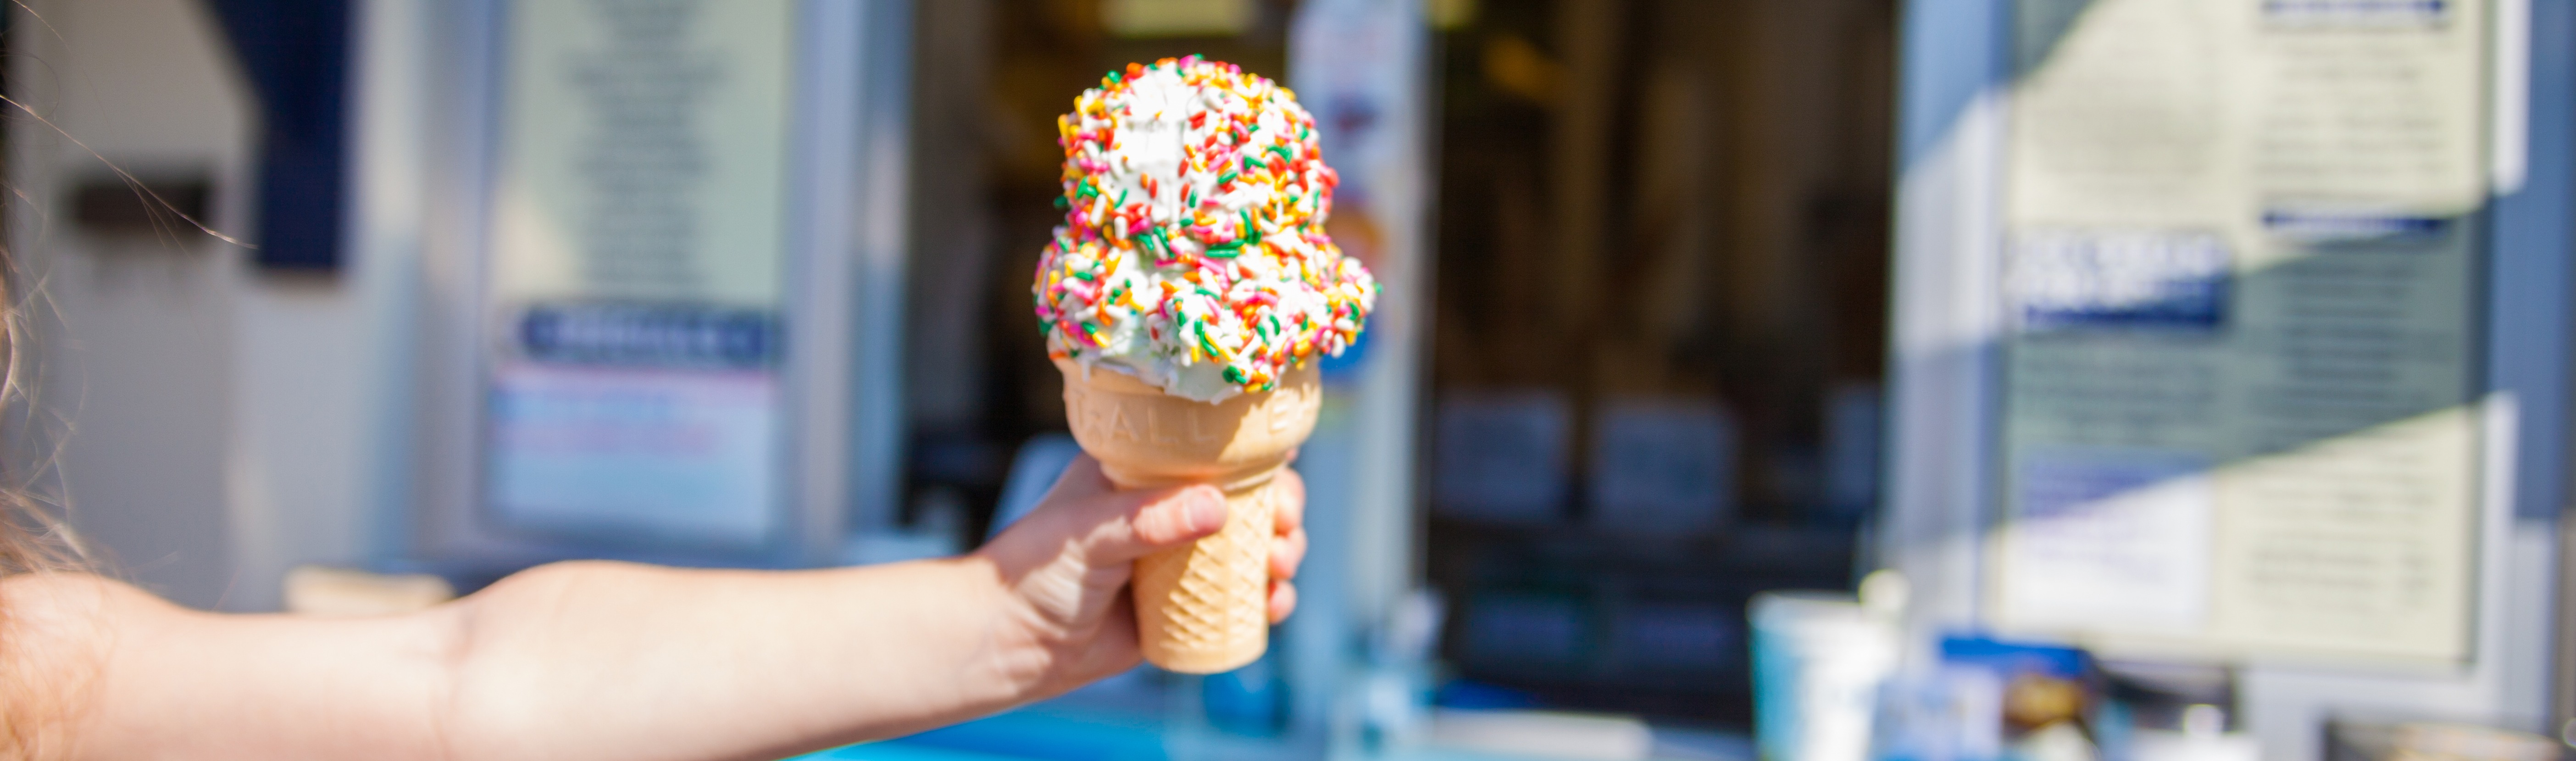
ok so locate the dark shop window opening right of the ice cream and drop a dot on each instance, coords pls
(1660, 331)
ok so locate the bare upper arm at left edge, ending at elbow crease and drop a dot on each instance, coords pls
(133, 677)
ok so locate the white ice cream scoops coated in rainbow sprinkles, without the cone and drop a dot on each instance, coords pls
(1194, 239)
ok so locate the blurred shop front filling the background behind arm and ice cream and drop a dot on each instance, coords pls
(2196, 370)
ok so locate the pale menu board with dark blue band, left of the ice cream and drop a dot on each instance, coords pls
(635, 270)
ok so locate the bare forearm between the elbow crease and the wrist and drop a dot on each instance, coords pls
(725, 664)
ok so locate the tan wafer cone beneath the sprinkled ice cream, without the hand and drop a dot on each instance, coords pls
(1199, 608)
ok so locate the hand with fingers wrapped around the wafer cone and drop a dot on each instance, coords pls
(1068, 613)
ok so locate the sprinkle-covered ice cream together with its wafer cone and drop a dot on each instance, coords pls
(1189, 298)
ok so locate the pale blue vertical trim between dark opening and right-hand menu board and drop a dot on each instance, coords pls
(1944, 401)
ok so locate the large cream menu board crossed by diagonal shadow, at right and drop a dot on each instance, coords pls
(2242, 280)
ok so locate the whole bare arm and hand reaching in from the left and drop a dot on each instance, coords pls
(617, 662)
